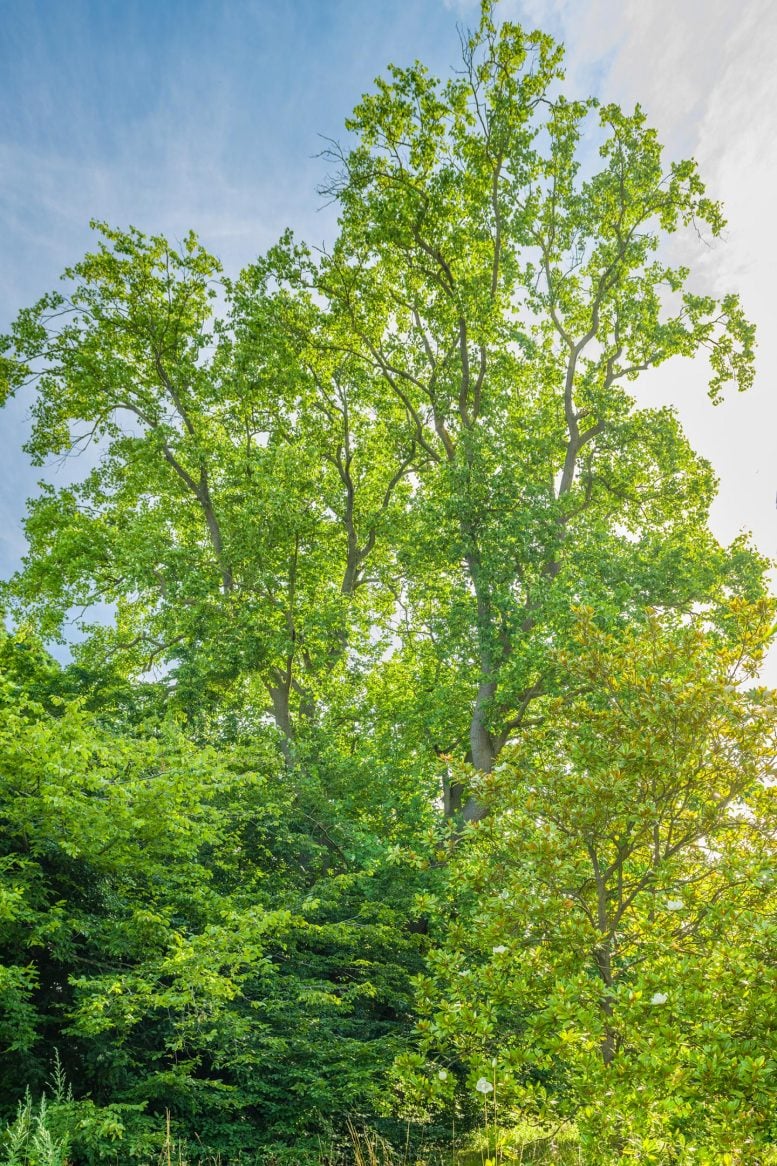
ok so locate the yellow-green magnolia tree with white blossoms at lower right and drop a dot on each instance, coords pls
(613, 940)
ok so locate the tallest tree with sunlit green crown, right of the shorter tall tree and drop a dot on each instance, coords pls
(507, 285)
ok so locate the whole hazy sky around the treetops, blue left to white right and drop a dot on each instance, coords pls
(197, 114)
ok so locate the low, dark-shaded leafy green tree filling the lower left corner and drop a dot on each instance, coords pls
(186, 937)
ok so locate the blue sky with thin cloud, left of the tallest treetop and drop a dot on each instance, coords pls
(179, 114)
